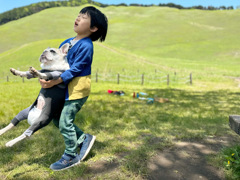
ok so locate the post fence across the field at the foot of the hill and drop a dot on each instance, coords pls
(157, 78)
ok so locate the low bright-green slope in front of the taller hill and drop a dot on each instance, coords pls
(105, 58)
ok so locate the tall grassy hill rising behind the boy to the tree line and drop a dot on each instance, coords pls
(205, 43)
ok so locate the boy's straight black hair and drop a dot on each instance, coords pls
(99, 20)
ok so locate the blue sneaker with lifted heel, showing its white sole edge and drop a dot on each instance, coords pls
(86, 146)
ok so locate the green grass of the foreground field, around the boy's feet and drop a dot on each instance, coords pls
(128, 130)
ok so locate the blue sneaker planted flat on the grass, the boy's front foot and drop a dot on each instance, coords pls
(65, 162)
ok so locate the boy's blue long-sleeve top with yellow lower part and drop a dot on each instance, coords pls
(78, 77)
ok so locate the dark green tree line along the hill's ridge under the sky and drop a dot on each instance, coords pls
(21, 12)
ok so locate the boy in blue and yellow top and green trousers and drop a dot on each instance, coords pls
(90, 25)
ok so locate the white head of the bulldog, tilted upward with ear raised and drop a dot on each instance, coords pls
(55, 59)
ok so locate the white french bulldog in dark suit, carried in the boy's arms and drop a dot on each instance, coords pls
(50, 101)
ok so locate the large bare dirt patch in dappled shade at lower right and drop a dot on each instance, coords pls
(188, 160)
